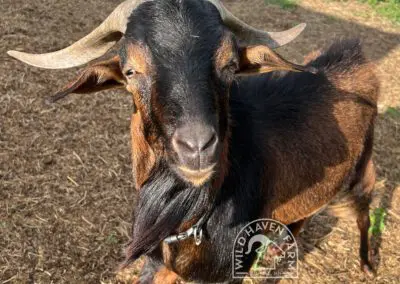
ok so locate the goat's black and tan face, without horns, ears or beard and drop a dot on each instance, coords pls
(179, 67)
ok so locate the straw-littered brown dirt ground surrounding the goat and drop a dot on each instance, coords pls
(65, 177)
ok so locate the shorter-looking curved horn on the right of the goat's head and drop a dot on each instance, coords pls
(253, 36)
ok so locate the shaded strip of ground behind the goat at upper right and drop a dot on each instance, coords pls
(321, 28)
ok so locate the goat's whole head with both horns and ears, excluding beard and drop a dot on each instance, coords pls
(178, 59)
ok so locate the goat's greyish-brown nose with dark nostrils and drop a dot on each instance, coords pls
(195, 145)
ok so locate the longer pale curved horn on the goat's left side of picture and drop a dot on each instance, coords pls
(92, 46)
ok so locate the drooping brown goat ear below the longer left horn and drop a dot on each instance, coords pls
(99, 76)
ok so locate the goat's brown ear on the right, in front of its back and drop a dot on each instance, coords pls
(261, 59)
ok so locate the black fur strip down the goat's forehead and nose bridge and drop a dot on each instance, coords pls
(182, 37)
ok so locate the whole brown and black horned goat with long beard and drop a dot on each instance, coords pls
(219, 150)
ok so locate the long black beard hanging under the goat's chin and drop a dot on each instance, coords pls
(163, 204)
